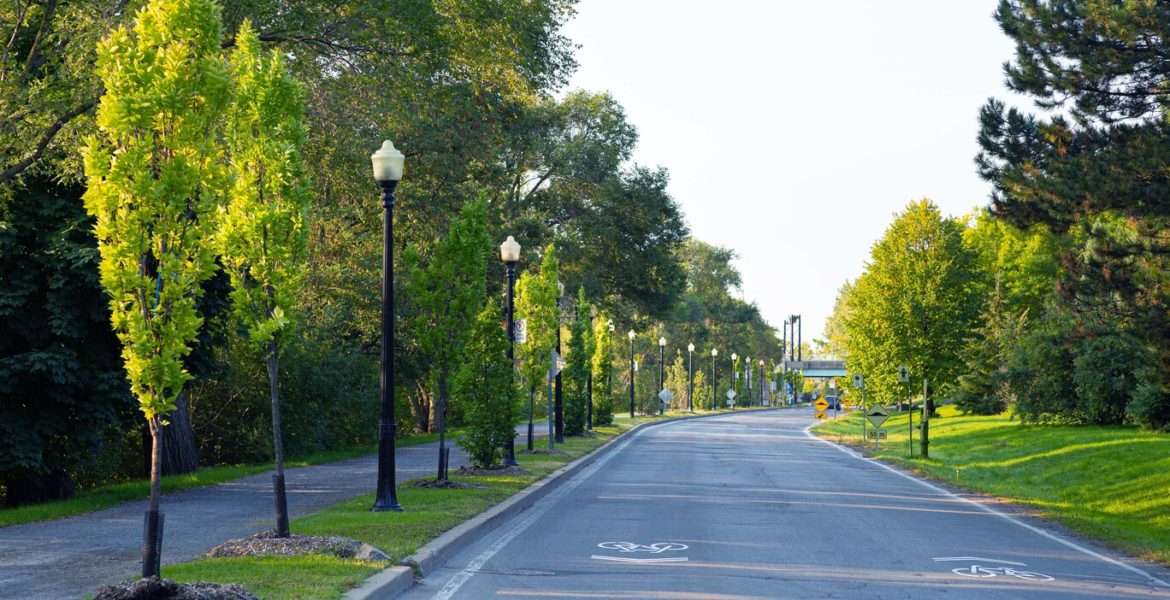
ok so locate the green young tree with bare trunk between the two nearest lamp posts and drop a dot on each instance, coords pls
(448, 293)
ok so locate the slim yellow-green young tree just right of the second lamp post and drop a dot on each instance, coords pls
(536, 302)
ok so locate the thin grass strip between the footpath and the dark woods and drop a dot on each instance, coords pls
(106, 496)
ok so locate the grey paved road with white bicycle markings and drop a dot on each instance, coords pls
(751, 507)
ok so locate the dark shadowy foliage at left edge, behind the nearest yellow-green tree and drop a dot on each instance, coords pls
(61, 380)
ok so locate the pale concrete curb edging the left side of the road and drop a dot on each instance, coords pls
(435, 554)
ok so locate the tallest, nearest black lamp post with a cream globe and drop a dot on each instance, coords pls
(388, 171)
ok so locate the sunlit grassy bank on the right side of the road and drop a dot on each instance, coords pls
(1111, 484)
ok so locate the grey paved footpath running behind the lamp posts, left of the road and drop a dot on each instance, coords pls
(75, 556)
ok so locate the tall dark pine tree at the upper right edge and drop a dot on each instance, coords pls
(1091, 167)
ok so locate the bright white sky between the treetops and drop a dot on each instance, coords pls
(795, 130)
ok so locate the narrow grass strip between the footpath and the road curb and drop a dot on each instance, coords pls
(429, 513)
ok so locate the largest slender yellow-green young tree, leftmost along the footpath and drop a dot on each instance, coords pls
(156, 178)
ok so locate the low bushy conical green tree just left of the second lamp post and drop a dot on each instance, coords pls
(485, 390)
